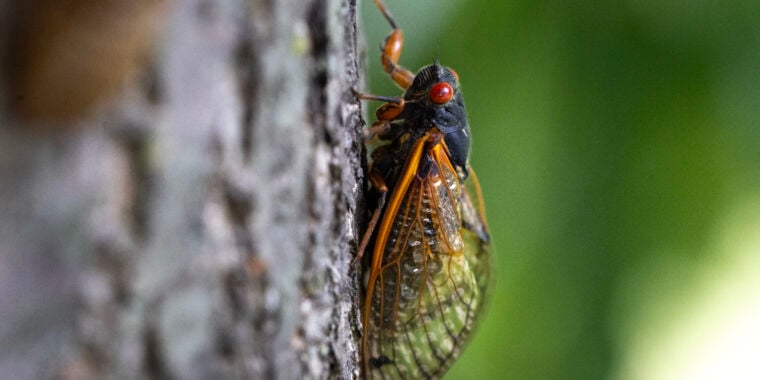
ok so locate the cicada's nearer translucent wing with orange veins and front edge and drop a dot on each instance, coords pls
(423, 293)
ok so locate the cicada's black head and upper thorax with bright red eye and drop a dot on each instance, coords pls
(434, 101)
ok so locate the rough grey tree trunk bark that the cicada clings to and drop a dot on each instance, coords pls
(199, 224)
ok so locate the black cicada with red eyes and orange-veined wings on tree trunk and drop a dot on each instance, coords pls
(429, 265)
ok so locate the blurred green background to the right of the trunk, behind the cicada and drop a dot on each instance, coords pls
(618, 146)
